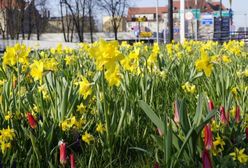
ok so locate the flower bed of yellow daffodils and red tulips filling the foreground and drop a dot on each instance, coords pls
(111, 105)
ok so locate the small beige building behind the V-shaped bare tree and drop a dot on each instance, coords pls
(107, 25)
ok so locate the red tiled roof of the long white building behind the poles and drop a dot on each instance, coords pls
(189, 4)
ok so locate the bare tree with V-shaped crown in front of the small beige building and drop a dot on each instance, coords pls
(115, 9)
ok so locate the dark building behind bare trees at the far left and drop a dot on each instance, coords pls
(19, 17)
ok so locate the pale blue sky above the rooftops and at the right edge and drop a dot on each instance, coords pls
(240, 8)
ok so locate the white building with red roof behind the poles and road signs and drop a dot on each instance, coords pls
(136, 24)
